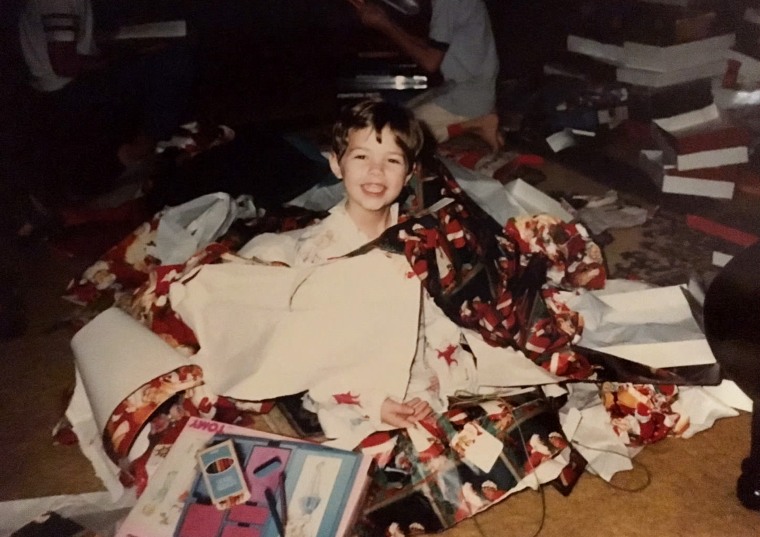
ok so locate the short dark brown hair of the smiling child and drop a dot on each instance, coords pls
(377, 115)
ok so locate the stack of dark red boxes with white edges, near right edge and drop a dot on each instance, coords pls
(700, 153)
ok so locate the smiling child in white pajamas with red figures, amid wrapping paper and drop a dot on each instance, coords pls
(375, 149)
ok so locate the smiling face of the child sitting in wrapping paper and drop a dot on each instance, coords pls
(373, 172)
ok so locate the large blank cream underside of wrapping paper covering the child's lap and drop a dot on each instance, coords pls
(291, 331)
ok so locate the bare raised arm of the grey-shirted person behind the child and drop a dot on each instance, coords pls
(427, 56)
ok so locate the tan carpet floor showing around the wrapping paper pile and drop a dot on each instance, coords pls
(691, 492)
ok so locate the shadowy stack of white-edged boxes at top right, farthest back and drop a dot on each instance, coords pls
(666, 54)
